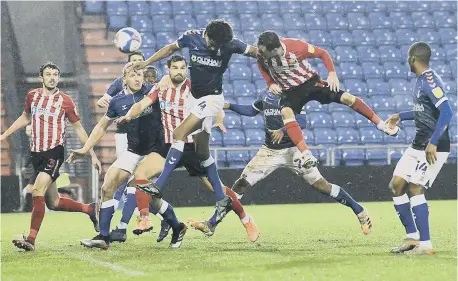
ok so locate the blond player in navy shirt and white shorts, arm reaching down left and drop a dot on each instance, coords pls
(145, 141)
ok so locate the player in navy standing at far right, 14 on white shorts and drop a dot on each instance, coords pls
(421, 162)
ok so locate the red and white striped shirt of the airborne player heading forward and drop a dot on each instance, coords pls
(292, 69)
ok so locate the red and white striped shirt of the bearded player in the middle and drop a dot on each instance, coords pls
(174, 107)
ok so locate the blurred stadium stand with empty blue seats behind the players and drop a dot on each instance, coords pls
(367, 40)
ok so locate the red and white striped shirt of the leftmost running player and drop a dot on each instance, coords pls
(48, 114)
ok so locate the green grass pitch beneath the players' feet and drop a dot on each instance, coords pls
(298, 242)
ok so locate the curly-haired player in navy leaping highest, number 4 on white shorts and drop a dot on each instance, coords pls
(210, 50)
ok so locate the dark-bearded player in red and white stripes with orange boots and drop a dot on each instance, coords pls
(175, 107)
